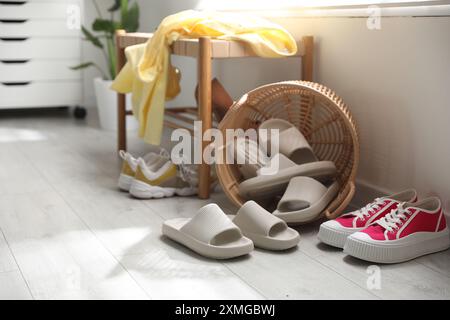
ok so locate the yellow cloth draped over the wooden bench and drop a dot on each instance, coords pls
(151, 78)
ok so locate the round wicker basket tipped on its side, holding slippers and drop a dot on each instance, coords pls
(321, 116)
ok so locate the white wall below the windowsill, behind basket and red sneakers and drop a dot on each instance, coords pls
(396, 82)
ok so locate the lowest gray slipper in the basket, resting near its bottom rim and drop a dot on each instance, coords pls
(305, 200)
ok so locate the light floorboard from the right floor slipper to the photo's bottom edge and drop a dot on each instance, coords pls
(294, 275)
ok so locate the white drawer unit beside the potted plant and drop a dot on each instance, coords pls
(38, 45)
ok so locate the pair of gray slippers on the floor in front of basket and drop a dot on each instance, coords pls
(213, 234)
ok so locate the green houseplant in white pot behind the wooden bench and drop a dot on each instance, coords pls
(121, 15)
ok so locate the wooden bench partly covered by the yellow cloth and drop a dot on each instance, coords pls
(204, 50)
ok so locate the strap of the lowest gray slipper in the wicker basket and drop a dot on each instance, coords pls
(301, 193)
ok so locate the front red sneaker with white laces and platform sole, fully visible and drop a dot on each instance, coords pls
(410, 231)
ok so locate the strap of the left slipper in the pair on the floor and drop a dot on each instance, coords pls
(209, 222)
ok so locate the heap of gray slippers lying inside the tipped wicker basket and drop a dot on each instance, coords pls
(308, 184)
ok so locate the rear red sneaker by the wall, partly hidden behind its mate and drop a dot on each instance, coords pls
(335, 232)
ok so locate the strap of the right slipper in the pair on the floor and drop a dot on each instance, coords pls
(252, 218)
